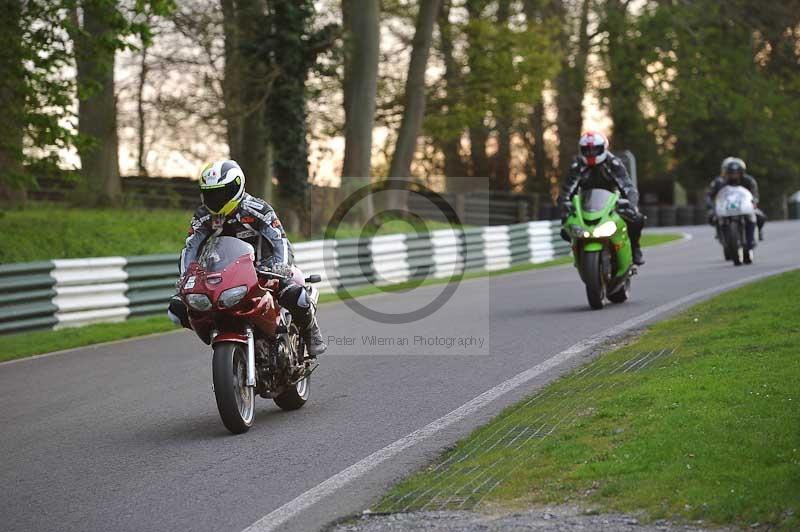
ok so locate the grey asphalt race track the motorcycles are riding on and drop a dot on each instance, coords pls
(126, 436)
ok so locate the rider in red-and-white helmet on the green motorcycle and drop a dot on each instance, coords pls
(596, 167)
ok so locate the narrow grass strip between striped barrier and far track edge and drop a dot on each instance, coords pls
(34, 343)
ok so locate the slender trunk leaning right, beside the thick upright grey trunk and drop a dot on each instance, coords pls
(414, 98)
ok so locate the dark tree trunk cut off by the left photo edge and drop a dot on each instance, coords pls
(12, 100)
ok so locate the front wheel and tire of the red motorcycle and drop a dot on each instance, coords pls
(235, 401)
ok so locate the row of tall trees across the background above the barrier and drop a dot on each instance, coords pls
(459, 88)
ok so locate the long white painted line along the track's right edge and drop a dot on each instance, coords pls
(276, 518)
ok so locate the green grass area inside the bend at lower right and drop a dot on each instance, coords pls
(709, 432)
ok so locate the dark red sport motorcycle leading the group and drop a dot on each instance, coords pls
(257, 349)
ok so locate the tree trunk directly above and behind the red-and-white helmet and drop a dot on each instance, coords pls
(571, 86)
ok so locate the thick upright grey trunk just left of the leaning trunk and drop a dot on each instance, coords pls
(361, 21)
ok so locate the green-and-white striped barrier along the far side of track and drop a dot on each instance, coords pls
(74, 292)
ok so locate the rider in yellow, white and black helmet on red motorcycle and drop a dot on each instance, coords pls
(228, 210)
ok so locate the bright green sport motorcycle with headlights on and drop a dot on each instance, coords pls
(600, 245)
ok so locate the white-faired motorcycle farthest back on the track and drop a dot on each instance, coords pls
(733, 208)
